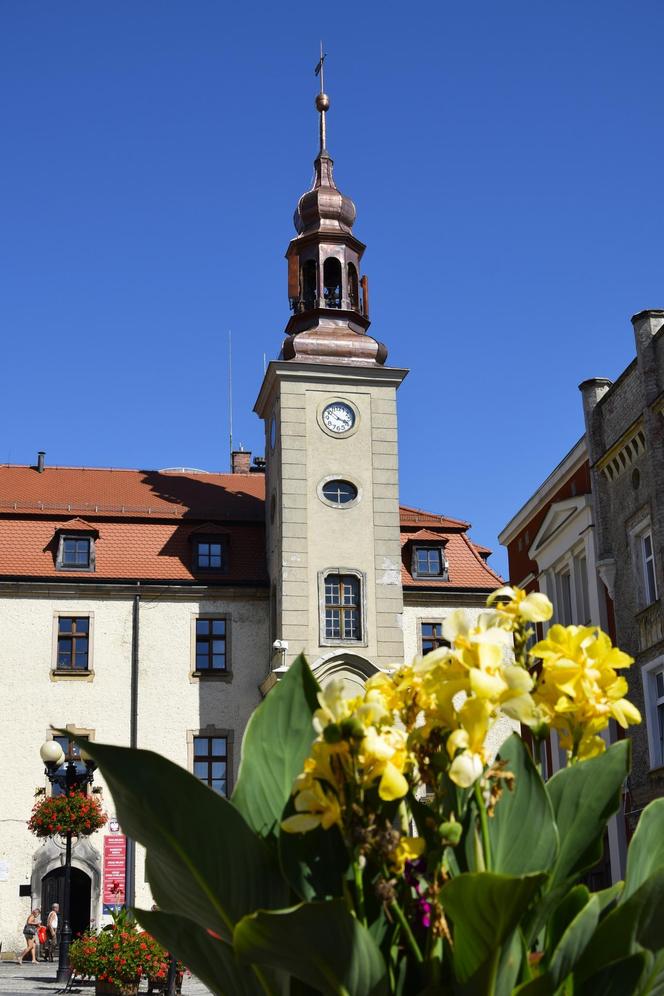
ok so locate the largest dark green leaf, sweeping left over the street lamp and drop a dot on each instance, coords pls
(203, 861)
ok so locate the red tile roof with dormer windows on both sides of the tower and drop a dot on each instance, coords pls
(146, 518)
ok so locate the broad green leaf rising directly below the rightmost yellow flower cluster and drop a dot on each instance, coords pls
(584, 797)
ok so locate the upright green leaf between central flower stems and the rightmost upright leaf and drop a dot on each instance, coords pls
(515, 849)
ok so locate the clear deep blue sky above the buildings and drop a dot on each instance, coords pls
(506, 162)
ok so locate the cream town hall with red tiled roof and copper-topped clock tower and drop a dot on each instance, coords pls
(155, 608)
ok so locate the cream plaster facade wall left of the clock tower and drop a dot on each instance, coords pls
(172, 706)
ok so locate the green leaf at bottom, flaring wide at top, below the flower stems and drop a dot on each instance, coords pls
(485, 909)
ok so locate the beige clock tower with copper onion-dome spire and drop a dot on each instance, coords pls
(332, 495)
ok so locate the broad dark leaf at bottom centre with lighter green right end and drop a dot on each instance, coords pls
(320, 943)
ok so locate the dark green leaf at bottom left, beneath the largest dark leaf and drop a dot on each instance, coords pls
(211, 960)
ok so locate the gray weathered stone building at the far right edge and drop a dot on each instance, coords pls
(625, 433)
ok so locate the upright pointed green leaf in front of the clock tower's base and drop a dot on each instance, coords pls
(276, 743)
